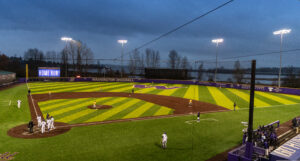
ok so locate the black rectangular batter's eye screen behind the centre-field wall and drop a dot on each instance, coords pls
(154, 73)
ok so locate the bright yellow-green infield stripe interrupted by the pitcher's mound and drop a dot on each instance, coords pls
(83, 111)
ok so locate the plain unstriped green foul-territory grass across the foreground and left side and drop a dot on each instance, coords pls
(130, 141)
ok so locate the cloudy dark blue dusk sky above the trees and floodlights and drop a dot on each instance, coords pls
(246, 25)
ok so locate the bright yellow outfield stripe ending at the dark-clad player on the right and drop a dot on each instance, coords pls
(220, 98)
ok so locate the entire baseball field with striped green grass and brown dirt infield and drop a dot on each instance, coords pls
(131, 128)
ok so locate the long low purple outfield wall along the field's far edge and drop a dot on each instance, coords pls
(293, 91)
